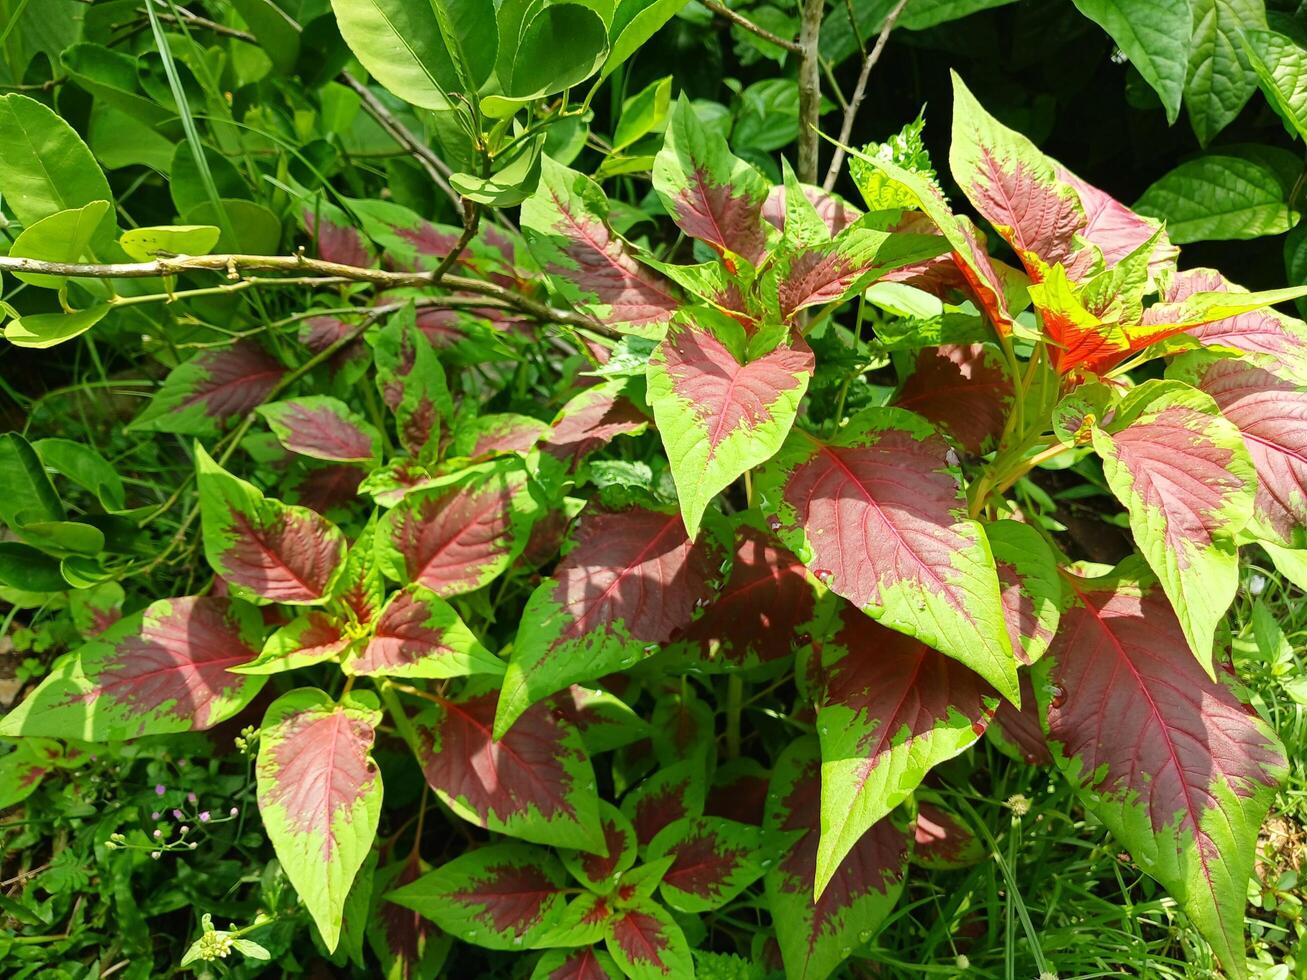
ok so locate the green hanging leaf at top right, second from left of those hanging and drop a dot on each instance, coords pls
(1220, 80)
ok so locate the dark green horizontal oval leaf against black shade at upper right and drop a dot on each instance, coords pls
(1225, 197)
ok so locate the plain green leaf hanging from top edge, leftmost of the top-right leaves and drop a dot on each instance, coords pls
(1155, 36)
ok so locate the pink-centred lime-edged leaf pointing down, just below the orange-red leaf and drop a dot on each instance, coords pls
(1189, 484)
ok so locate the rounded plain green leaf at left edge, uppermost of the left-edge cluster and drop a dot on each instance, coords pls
(46, 167)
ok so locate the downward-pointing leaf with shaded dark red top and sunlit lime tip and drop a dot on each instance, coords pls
(892, 710)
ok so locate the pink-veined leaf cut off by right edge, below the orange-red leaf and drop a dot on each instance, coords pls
(1271, 415)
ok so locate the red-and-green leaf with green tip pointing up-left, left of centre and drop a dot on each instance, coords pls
(263, 548)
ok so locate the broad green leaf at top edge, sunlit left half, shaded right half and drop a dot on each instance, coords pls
(401, 44)
